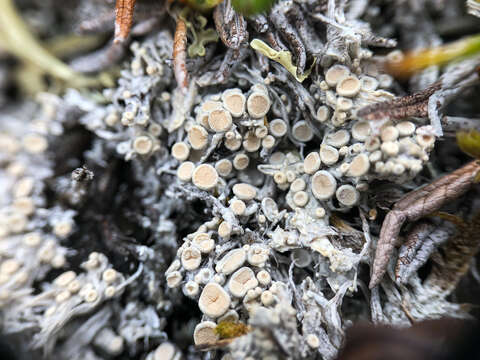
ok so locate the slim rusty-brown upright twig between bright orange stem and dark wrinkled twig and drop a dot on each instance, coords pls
(180, 55)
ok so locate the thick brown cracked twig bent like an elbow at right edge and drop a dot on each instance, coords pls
(416, 205)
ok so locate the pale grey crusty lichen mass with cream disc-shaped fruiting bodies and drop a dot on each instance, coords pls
(241, 212)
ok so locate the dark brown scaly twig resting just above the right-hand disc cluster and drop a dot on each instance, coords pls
(407, 106)
